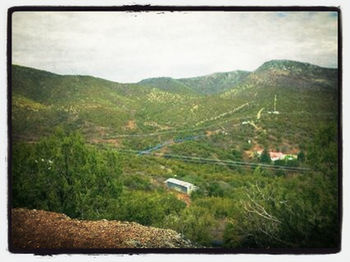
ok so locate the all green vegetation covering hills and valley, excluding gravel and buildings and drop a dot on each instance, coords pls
(78, 142)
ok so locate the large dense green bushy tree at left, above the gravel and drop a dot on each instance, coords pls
(61, 173)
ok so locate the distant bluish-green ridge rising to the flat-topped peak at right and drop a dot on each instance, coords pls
(274, 72)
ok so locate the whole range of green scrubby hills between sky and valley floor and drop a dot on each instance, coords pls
(103, 110)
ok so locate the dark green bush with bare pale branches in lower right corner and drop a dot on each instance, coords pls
(298, 212)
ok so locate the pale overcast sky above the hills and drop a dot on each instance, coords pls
(129, 47)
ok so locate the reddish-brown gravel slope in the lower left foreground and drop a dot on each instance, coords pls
(33, 229)
